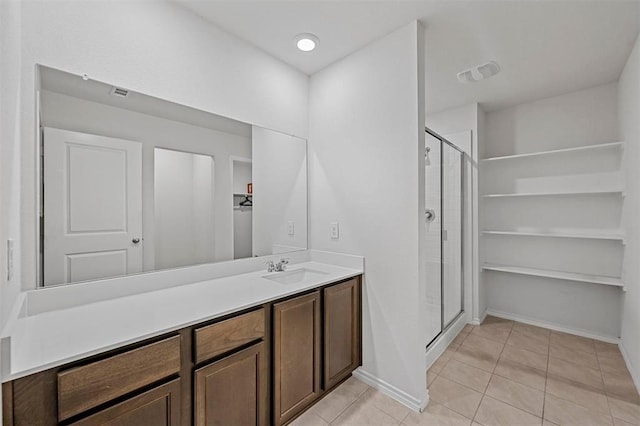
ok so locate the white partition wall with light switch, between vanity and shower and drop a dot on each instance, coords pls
(366, 151)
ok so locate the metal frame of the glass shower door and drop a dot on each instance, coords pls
(463, 155)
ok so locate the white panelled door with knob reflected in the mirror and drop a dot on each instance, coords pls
(92, 207)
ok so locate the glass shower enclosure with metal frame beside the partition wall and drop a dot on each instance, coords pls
(444, 232)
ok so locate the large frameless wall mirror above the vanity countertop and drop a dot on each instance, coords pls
(132, 183)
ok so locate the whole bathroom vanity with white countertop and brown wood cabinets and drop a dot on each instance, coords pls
(270, 345)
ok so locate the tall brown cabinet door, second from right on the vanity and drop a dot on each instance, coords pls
(296, 332)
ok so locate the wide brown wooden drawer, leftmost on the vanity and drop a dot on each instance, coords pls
(88, 386)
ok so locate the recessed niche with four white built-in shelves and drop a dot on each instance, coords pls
(555, 214)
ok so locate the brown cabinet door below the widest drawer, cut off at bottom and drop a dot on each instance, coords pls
(159, 406)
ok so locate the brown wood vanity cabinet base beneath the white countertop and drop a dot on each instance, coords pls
(262, 366)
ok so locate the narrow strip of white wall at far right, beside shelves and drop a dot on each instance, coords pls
(629, 111)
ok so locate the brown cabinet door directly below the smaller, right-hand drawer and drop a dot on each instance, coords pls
(233, 391)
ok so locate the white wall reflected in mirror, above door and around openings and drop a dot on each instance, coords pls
(66, 112)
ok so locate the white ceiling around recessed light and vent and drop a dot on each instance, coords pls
(544, 48)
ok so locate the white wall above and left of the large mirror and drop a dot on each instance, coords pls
(157, 48)
